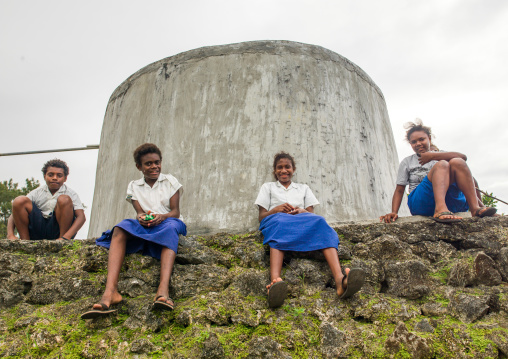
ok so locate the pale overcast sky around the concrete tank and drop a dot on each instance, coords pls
(444, 61)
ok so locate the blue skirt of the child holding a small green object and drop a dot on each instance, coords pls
(149, 240)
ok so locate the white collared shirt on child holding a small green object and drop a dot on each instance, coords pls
(154, 199)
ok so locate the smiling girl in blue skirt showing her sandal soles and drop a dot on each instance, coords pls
(289, 224)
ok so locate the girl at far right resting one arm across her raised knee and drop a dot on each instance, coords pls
(440, 183)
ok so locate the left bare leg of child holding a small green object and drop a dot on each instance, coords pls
(115, 261)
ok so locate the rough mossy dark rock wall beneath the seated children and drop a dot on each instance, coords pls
(432, 291)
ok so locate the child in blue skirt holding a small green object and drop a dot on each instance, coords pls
(155, 195)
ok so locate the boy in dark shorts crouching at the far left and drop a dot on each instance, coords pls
(52, 211)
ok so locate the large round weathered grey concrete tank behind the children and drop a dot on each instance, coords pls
(219, 114)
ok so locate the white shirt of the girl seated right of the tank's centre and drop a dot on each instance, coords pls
(273, 194)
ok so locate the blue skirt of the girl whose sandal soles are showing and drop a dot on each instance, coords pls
(302, 232)
